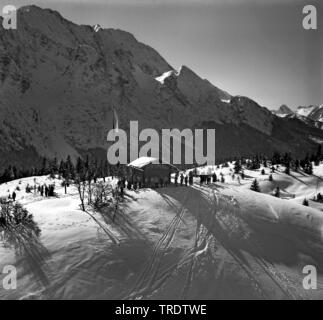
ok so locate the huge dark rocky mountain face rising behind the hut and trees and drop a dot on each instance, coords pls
(59, 82)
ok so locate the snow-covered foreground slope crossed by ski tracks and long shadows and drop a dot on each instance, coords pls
(217, 241)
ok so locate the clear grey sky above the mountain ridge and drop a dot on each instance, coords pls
(247, 47)
